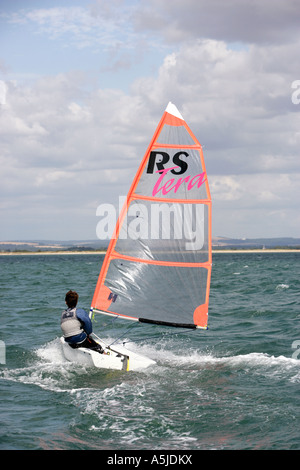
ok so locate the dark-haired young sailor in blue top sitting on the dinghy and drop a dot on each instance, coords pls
(77, 326)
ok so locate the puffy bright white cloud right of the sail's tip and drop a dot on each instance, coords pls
(234, 99)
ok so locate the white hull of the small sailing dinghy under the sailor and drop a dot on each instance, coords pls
(116, 359)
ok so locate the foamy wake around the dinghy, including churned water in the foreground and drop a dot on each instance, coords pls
(136, 407)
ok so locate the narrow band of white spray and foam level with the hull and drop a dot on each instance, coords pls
(50, 370)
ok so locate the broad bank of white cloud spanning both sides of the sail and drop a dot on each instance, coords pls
(83, 147)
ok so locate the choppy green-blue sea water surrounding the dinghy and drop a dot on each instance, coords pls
(234, 386)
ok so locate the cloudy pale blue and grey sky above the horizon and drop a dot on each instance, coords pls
(84, 83)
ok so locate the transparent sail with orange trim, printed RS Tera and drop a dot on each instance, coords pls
(157, 267)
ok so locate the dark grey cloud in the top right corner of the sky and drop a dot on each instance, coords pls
(233, 21)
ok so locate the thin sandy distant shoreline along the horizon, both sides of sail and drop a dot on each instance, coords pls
(103, 252)
